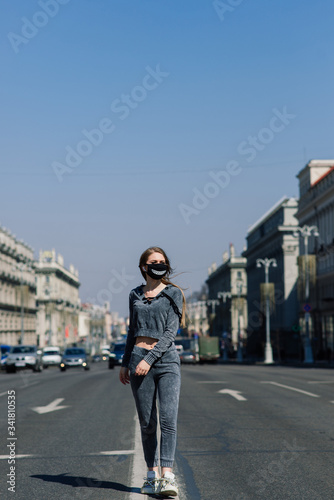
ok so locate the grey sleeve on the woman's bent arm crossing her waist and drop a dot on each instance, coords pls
(171, 328)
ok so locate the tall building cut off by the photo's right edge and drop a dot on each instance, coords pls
(316, 208)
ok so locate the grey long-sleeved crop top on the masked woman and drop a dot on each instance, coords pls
(157, 318)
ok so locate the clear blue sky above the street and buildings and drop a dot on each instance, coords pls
(223, 74)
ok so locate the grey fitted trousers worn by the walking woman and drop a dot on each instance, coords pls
(163, 380)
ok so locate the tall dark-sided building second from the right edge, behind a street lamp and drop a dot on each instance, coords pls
(272, 237)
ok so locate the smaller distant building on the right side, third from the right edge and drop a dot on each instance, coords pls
(227, 299)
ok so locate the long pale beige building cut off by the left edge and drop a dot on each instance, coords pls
(17, 291)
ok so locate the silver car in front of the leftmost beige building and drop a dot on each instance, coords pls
(24, 356)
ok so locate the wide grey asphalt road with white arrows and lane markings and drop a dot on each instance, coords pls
(268, 436)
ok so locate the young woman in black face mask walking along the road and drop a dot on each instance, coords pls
(151, 365)
